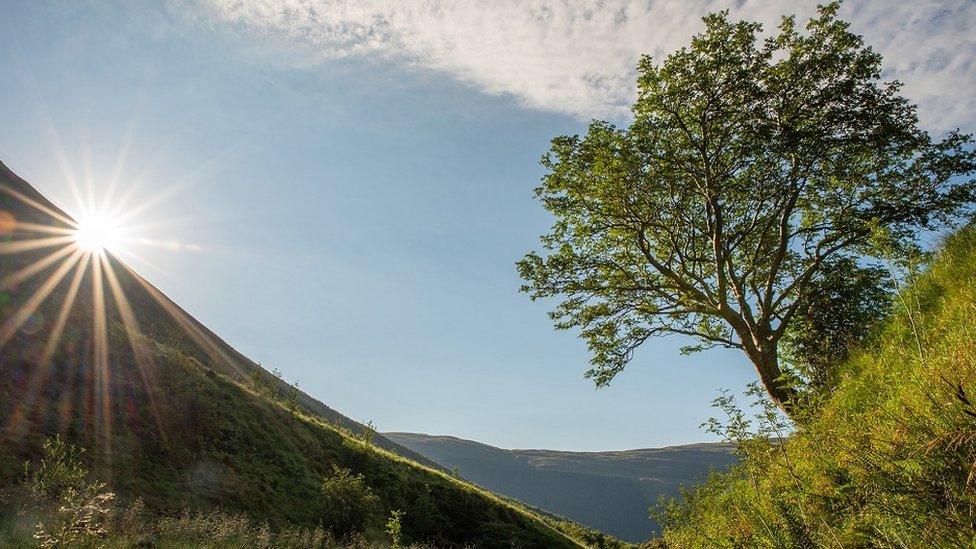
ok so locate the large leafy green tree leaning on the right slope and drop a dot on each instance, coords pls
(752, 165)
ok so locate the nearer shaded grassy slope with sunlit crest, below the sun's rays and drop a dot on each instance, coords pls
(202, 452)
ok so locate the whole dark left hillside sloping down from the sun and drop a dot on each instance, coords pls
(166, 413)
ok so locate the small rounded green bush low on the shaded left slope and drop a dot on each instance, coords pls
(347, 501)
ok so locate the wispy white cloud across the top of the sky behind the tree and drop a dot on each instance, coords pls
(578, 57)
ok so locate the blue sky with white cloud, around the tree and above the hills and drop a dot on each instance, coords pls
(343, 189)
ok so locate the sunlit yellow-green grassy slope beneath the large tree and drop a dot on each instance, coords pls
(888, 461)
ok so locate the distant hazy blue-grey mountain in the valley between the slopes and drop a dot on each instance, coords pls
(609, 491)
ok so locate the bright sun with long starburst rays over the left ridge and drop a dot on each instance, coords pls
(44, 252)
